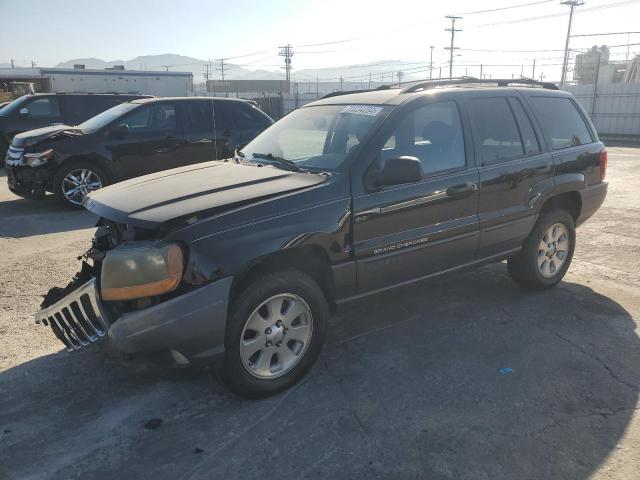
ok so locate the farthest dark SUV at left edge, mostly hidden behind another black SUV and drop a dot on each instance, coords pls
(44, 109)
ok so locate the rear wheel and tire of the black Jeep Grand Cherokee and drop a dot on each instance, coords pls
(547, 253)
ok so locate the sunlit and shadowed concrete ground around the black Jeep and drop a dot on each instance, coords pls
(409, 384)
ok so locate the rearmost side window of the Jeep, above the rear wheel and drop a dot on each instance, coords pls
(562, 122)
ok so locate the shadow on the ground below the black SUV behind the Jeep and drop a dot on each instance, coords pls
(24, 218)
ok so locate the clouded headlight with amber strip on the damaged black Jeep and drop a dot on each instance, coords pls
(143, 269)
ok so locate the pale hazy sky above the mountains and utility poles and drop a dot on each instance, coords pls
(250, 32)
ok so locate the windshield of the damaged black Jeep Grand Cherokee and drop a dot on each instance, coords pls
(317, 137)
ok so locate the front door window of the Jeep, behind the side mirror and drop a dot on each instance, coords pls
(431, 133)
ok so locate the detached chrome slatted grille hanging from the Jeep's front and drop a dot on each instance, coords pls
(78, 319)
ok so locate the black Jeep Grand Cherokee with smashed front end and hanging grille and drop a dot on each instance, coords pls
(346, 197)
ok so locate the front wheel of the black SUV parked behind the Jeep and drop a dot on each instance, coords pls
(73, 182)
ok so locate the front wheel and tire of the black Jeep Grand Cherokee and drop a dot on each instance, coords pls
(283, 351)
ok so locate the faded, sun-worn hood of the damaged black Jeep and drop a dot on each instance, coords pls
(215, 186)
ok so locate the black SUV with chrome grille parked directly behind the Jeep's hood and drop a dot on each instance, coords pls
(128, 140)
